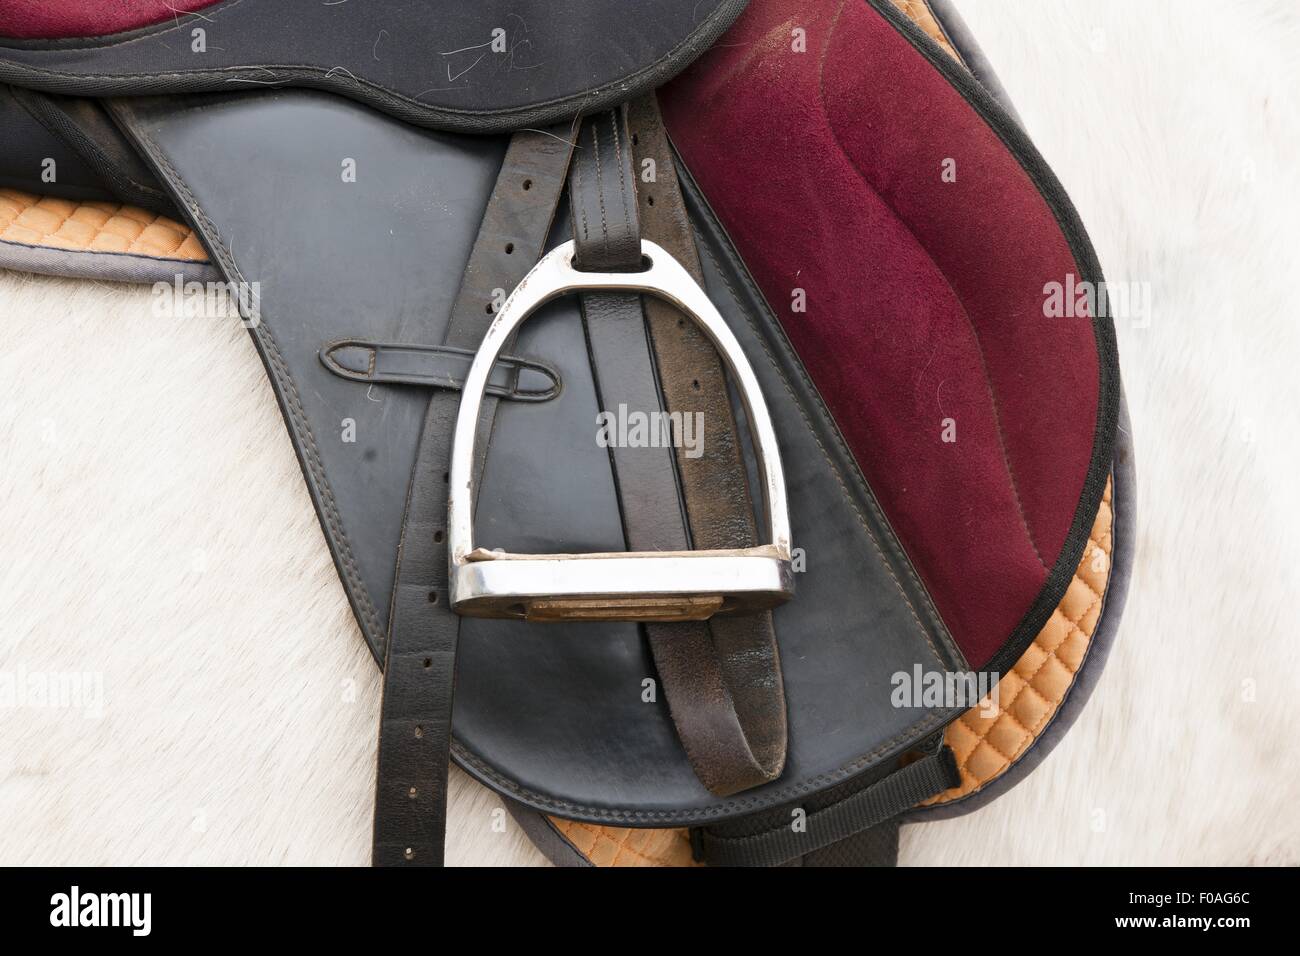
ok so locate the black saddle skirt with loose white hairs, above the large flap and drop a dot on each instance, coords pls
(484, 67)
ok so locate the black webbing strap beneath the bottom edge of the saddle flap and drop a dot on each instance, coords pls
(861, 815)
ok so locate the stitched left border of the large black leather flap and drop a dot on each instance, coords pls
(296, 408)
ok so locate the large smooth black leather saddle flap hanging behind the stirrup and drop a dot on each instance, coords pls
(551, 713)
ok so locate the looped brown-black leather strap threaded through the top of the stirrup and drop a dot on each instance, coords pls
(721, 680)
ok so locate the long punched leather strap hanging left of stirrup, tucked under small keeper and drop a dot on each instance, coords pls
(419, 673)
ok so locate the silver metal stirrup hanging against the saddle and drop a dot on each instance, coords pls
(623, 586)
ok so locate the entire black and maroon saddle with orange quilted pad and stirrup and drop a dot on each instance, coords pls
(708, 412)
